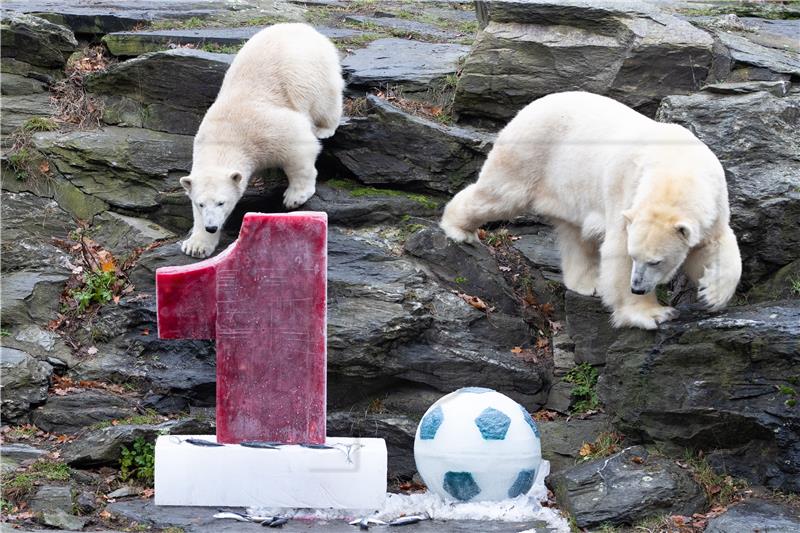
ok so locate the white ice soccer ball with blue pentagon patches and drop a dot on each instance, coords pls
(476, 444)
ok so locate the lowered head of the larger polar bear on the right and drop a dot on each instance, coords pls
(659, 240)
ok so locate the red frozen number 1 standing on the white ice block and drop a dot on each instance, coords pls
(263, 300)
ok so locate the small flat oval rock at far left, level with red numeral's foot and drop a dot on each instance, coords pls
(73, 413)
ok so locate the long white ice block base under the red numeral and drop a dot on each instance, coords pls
(351, 476)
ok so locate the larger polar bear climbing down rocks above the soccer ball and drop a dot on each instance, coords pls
(631, 199)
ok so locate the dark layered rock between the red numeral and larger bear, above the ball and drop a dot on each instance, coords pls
(390, 321)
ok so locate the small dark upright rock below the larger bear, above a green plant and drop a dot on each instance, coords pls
(589, 326)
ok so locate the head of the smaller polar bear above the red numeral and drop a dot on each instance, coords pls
(214, 193)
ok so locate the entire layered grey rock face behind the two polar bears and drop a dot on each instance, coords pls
(412, 316)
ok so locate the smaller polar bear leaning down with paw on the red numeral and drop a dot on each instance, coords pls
(281, 94)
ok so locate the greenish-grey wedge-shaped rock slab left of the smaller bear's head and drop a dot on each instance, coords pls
(128, 168)
